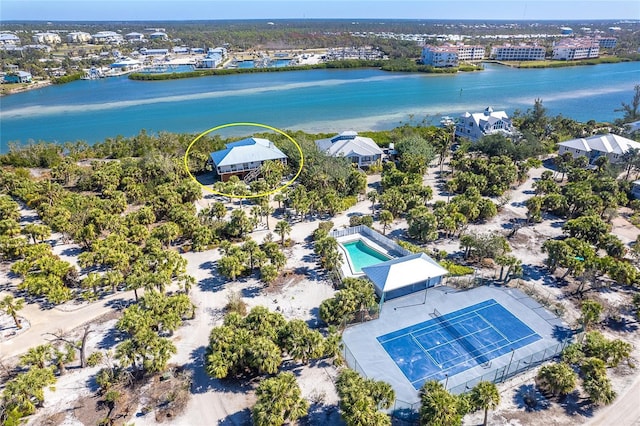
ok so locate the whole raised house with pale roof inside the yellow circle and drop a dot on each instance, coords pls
(244, 156)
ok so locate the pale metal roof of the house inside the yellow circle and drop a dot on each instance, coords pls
(247, 151)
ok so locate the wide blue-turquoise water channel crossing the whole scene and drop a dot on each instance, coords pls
(314, 101)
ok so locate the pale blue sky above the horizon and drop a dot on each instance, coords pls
(105, 10)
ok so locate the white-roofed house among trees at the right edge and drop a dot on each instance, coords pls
(611, 146)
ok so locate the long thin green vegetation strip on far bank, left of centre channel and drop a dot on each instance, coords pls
(400, 65)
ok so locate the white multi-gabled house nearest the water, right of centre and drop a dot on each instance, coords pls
(476, 125)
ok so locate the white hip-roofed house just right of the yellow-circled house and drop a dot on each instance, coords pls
(360, 150)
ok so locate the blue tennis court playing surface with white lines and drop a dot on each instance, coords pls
(457, 341)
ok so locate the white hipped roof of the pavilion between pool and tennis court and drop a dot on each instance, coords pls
(403, 272)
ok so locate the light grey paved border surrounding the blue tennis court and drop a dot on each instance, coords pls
(367, 356)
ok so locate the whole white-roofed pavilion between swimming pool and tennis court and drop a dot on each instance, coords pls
(404, 275)
